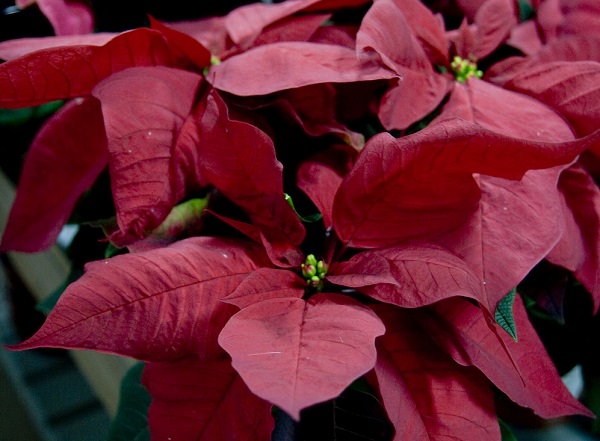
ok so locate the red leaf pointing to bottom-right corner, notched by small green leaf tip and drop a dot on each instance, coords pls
(522, 370)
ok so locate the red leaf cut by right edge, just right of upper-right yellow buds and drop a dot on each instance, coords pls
(571, 88)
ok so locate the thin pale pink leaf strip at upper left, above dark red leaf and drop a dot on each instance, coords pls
(11, 49)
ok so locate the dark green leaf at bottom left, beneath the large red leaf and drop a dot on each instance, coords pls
(131, 422)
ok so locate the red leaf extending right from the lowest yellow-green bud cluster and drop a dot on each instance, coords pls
(409, 275)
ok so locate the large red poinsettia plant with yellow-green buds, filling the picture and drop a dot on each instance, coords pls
(322, 201)
